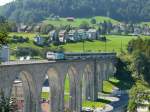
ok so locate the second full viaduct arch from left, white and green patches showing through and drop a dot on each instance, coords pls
(50, 92)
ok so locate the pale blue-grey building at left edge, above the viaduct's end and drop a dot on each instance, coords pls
(4, 53)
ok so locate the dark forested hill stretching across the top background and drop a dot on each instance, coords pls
(30, 11)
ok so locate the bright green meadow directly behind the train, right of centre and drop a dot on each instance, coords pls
(114, 43)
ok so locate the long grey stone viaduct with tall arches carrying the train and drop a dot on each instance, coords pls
(85, 77)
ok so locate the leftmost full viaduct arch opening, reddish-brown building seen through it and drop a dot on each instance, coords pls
(23, 92)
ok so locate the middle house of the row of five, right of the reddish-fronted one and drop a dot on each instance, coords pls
(72, 35)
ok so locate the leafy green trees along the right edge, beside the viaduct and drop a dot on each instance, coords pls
(139, 49)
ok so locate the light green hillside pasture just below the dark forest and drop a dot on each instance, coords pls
(78, 21)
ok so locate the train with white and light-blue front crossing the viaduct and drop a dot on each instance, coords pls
(75, 56)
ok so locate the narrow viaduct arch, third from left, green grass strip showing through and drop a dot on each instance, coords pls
(70, 90)
